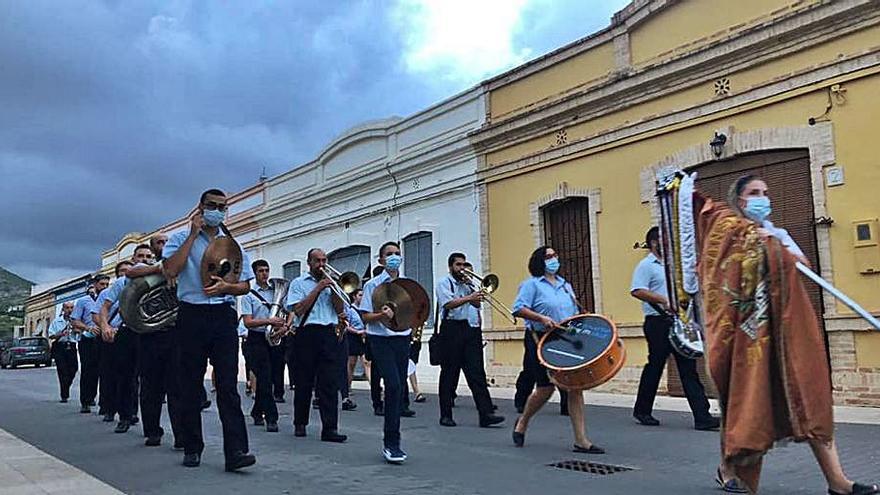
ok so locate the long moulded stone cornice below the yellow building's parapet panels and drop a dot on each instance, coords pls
(748, 48)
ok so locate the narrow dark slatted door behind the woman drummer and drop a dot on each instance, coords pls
(567, 230)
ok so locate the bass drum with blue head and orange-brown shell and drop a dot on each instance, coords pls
(585, 353)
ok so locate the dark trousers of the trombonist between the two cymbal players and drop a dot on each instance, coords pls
(316, 366)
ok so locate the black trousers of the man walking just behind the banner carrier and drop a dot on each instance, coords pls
(656, 329)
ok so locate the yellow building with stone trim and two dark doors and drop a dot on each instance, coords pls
(573, 142)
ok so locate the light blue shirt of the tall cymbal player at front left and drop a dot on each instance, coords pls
(189, 280)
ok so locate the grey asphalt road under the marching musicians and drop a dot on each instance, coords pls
(464, 460)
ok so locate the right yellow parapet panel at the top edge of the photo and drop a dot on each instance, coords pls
(693, 21)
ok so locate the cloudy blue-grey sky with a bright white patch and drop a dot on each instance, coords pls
(115, 114)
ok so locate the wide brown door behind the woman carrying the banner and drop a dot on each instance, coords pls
(787, 174)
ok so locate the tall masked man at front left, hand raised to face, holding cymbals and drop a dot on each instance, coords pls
(207, 328)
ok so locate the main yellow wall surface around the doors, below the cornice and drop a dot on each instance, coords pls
(624, 219)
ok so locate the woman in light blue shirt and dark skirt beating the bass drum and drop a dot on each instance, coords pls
(544, 300)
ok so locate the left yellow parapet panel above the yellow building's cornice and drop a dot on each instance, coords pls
(549, 83)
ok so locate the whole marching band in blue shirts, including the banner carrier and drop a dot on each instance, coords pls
(155, 328)
